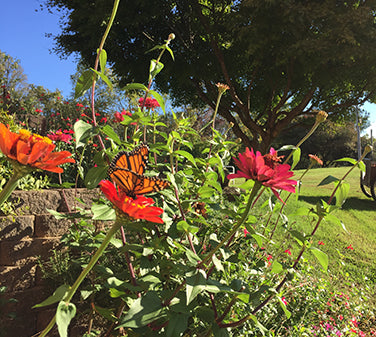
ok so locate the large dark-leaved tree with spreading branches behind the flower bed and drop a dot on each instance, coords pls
(281, 58)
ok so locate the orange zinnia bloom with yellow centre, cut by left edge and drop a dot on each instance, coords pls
(32, 150)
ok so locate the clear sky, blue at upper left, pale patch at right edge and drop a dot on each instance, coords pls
(23, 27)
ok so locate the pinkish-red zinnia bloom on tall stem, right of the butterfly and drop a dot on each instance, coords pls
(265, 169)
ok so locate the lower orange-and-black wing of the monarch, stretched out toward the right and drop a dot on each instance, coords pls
(135, 184)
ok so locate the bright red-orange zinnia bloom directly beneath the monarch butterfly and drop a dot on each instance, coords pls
(138, 208)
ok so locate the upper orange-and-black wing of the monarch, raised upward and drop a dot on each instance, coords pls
(134, 161)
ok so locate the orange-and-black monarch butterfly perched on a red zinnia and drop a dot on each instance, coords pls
(127, 168)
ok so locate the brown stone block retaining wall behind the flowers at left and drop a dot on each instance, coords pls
(31, 233)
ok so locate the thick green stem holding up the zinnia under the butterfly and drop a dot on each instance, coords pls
(86, 271)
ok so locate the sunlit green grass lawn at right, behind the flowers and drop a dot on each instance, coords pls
(358, 215)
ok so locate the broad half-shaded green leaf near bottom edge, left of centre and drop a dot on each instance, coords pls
(143, 311)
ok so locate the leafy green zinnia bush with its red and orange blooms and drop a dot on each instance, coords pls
(185, 262)
